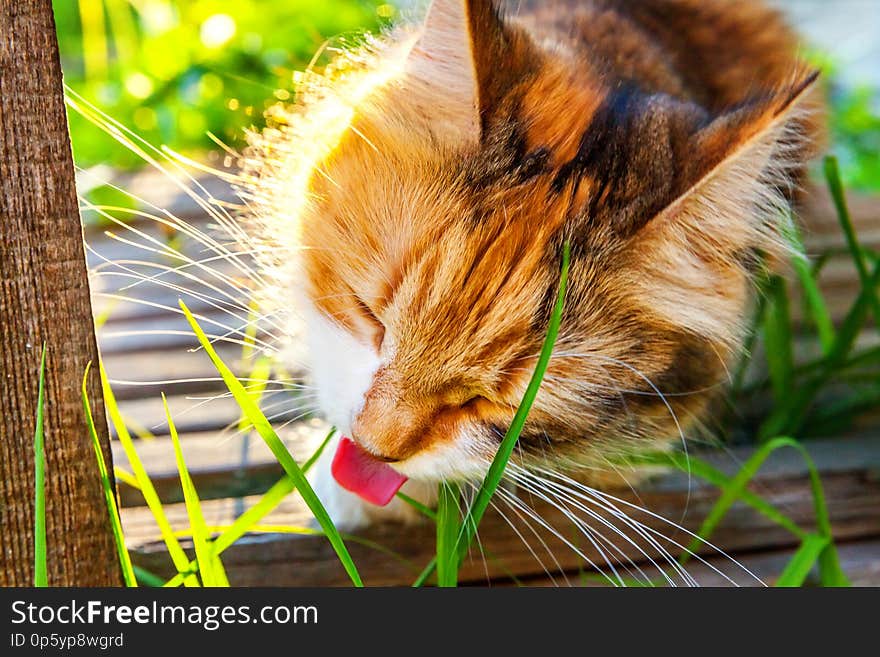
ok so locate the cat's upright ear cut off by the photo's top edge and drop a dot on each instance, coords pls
(461, 65)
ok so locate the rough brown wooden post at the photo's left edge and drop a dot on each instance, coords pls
(44, 297)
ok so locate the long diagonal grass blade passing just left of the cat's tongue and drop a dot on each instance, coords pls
(264, 428)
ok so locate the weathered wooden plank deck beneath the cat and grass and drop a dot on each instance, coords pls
(146, 348)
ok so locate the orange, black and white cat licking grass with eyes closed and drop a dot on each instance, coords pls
(413, 204)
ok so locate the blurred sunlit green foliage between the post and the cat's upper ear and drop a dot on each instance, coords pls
(174, 70)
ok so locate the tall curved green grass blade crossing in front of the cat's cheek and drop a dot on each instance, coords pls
(502, 456)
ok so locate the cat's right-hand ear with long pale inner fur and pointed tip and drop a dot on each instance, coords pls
(698, 253)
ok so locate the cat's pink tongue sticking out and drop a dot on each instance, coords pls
(357, 471)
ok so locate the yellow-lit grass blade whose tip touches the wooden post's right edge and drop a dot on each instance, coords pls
(145, 485)
